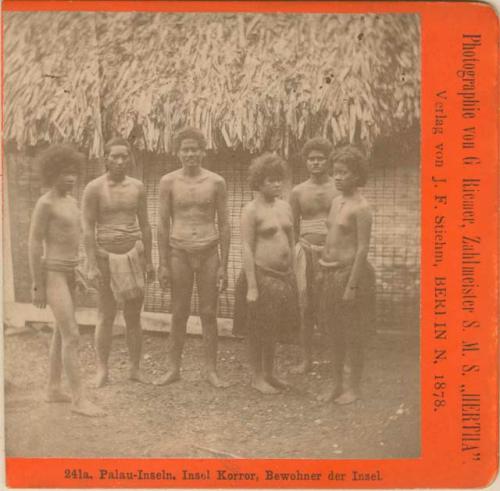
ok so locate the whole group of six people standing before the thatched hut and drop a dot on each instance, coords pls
(304, 261)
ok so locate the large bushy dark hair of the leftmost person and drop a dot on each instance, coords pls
(55, 159)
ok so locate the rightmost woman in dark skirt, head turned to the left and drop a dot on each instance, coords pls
(348, 285)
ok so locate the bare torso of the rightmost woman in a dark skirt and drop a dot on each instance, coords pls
(342, 240)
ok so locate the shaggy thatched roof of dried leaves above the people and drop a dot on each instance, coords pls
(255, 80)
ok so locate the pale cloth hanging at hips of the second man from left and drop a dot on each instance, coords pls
(124, 273)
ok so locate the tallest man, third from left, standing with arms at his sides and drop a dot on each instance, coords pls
(188, 243)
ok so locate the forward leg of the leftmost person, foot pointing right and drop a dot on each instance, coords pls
(60, 300)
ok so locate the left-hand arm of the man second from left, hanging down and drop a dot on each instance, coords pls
(90, 206)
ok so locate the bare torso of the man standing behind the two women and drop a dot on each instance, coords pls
(312, 202)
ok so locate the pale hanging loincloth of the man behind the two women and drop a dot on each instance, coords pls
(306, 270)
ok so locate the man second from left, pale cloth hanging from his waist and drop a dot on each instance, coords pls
(118, 246)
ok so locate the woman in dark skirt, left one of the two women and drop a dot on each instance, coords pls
(266, 293)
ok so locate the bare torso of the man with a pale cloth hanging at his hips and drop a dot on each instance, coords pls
(117, 204)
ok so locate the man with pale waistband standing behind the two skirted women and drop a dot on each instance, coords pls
(310, 202)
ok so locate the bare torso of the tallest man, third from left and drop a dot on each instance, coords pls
(193, 205)
